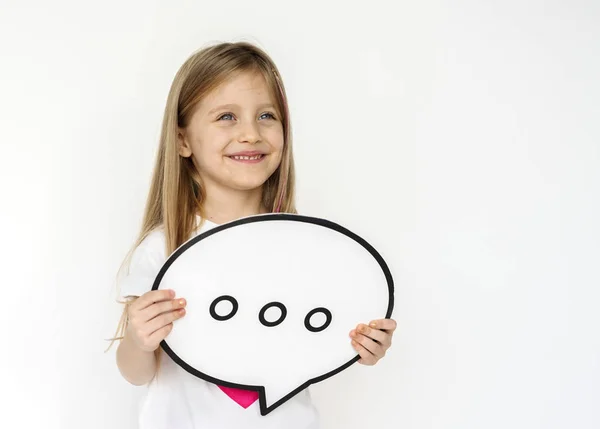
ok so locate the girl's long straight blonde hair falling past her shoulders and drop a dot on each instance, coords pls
(176, 192)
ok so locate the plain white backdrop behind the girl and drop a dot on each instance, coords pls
(461, 138)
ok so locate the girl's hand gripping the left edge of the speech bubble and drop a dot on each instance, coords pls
(151, 318)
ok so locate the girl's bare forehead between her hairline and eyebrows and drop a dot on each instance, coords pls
(241, 88)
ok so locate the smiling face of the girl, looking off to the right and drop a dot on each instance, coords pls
(235, 137)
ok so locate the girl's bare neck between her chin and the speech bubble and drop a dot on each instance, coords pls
(222, 206)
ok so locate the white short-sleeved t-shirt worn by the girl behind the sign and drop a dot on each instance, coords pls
(176, 399)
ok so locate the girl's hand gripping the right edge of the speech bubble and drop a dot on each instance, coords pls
(372, 341)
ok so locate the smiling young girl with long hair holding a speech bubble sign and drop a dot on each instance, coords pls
(225, 153)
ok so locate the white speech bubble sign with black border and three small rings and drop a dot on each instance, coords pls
(271, 300)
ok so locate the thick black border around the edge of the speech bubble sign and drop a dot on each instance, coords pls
(264, 409)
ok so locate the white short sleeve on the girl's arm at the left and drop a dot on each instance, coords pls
(139, 273)
